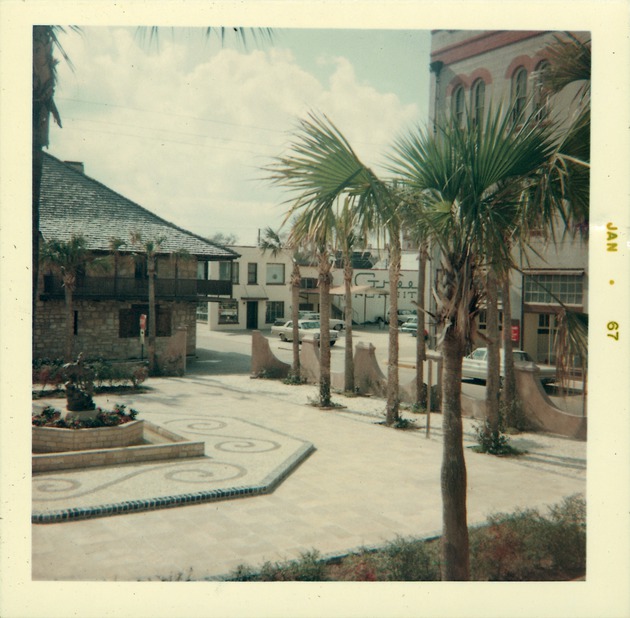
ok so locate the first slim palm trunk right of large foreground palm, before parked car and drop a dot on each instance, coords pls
(493, 380)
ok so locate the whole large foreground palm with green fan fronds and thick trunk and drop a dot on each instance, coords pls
(471, 181)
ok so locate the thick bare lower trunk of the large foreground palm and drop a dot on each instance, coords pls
(455, 545)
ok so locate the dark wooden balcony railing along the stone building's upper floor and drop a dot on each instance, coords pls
(127, 288)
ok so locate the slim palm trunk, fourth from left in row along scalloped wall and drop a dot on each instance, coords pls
(392, 360)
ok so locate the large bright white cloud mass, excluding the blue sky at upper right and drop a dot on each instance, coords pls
(185, 132)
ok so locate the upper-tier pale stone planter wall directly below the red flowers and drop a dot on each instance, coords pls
(55, 440)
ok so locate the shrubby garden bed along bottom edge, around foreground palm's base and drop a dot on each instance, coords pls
(521, 546)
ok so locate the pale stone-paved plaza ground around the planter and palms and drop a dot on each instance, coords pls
(362, 486)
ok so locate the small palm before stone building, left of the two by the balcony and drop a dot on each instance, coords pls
(68, 259)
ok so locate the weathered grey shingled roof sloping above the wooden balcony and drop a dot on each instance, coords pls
(72, 203)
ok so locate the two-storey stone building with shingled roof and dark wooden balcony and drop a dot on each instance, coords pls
(112, 287)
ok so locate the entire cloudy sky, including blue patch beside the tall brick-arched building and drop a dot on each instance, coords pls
(186, 127)
